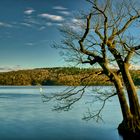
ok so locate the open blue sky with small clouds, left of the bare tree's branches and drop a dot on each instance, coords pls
(28, 28)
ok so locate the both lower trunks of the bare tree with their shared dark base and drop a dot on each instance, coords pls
(131, 112)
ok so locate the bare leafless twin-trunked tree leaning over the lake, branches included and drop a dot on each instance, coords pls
(107, 35)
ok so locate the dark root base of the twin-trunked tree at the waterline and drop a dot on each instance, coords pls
(130, 130)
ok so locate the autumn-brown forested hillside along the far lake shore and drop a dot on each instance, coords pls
(70, 76)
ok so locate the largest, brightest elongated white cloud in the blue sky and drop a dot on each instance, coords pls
(52, 17)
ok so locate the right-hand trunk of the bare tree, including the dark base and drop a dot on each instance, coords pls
(132, 125)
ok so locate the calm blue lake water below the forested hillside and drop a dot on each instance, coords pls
(23, 116)
